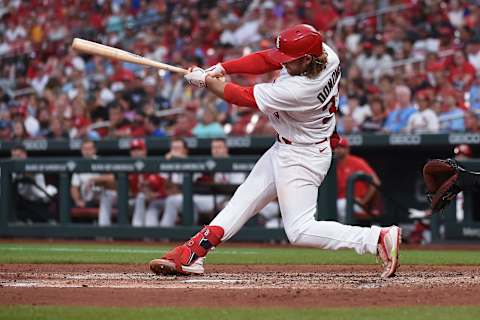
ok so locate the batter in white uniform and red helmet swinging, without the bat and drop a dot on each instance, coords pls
(300, 105)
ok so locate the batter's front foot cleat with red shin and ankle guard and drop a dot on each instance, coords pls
(188, 258)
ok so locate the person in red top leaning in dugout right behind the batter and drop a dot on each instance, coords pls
(364, 192)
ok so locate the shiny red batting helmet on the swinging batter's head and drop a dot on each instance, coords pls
(296, 42)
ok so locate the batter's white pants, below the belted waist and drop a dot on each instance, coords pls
(294, 173)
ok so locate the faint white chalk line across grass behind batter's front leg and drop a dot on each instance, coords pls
(114, 250)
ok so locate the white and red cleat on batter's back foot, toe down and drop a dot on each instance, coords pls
(388, 250)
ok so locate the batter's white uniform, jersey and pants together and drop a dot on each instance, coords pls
(300, 110)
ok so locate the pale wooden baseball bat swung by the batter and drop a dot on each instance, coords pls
(101, 50)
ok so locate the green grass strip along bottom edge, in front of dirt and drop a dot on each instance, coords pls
(88, 313)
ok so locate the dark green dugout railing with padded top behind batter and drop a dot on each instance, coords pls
(121, 167)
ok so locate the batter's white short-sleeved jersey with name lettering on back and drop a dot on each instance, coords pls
(299, 108)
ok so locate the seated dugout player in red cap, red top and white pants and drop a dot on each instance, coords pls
(147, 188)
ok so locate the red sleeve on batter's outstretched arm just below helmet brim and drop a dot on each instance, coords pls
(255, 63)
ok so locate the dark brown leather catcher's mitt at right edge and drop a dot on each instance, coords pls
(441, 177)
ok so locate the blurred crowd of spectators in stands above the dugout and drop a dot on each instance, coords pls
(407, 66)
